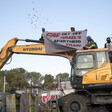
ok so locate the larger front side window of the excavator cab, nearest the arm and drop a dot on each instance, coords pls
(85, 63)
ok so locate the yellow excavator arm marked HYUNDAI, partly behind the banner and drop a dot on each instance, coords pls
(37, 49)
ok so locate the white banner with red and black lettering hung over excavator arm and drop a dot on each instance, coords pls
(64, 41)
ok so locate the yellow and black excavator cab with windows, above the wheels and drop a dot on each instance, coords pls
(92, 68)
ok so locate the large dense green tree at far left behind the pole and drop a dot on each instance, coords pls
(15, 79)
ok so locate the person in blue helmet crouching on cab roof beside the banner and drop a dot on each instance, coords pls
(90, 44)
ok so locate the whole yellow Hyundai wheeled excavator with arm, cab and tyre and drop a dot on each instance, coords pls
(91, 75)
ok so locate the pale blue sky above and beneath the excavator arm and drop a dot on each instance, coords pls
(25, 18)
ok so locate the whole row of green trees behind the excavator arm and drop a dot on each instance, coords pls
(19, 78)
